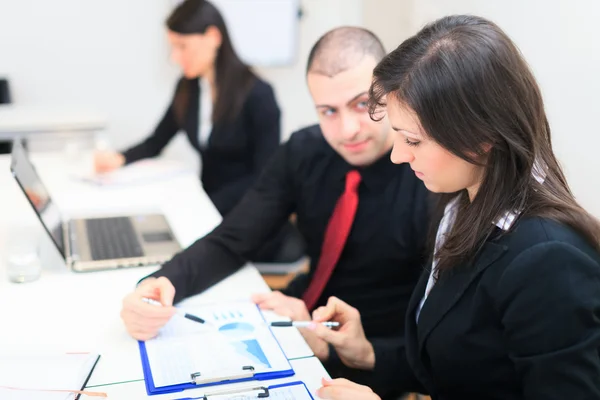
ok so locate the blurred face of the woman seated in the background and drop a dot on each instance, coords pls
(195, 53)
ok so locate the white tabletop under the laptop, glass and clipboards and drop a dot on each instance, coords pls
(70, 311)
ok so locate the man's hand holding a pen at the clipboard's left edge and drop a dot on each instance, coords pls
(143, 320)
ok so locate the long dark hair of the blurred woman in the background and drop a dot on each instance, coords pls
(233, 77)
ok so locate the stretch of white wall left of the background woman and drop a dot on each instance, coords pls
(110, 56)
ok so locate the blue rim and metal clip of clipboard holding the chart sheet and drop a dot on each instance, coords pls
(245, 373)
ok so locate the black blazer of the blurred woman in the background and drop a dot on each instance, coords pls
(236, 152)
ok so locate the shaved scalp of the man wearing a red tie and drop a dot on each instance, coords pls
(341, 49)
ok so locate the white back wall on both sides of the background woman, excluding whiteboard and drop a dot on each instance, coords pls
(112, 56)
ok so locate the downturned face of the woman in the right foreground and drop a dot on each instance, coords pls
(440, 170)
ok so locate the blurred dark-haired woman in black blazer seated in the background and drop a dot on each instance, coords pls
(230, 116)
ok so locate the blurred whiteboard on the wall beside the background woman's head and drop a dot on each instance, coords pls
(264, 32)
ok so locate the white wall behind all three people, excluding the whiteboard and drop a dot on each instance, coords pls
(112, 56)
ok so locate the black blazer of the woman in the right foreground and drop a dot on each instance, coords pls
(523, 322)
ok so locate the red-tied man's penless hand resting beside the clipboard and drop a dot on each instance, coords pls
(296, 310)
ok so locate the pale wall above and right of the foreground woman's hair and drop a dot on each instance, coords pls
(559, 39)
